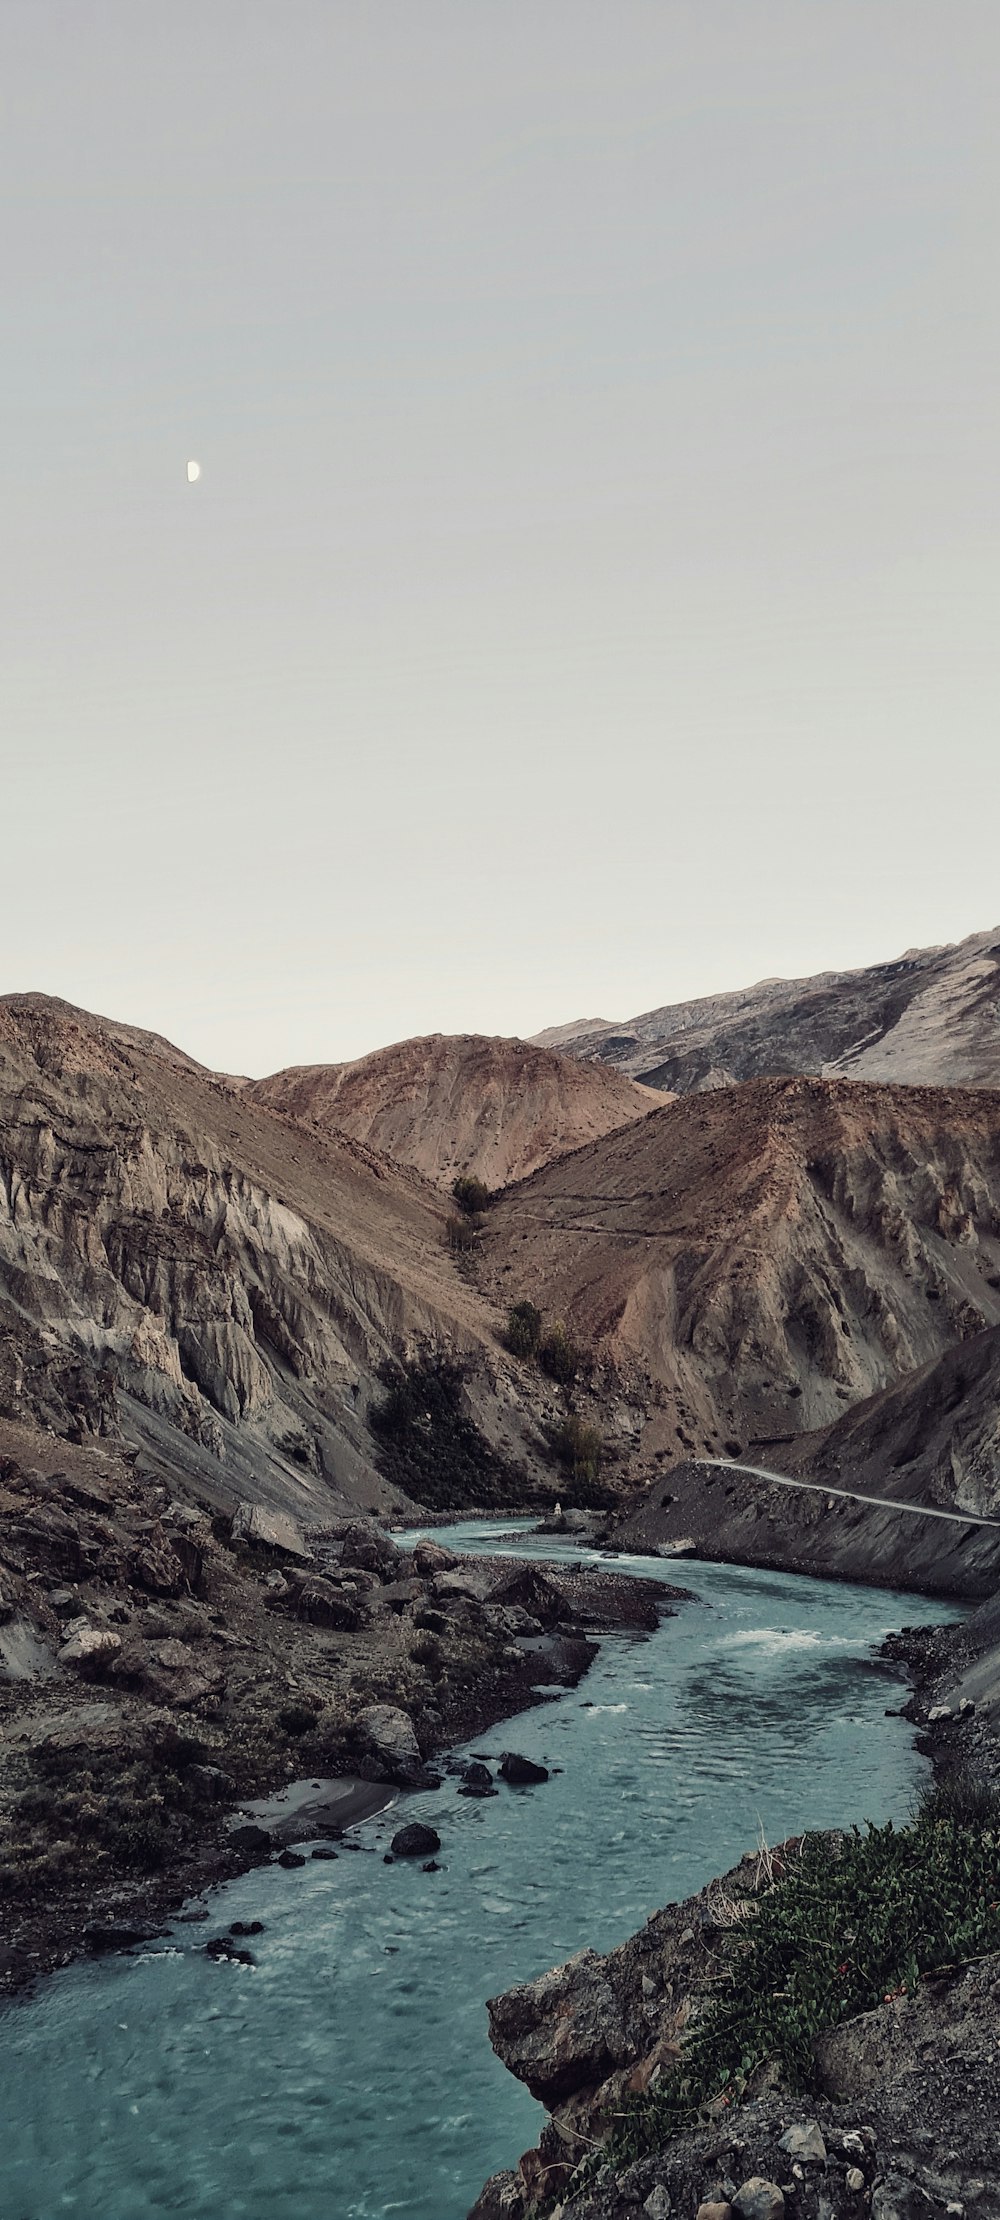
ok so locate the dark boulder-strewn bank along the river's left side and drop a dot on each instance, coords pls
(163, 1668)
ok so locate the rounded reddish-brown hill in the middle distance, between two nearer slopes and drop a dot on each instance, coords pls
(461, 1104)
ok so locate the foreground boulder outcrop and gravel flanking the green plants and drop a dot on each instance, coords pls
(903, 2123)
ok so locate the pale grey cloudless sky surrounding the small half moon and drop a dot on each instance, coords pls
(592, 589)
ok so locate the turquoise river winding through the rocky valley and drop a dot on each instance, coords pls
(348, 2075)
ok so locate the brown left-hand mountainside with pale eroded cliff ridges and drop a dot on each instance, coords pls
(181, 1255)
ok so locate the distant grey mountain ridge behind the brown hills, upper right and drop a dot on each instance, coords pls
(932, 1018)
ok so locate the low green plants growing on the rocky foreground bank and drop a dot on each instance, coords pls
(843, 1928)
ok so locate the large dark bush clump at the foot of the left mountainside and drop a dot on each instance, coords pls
(432, 1449)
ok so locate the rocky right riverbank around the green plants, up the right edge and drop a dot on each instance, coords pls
(903, 2108)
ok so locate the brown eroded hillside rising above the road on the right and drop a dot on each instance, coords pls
(766, 1255)
